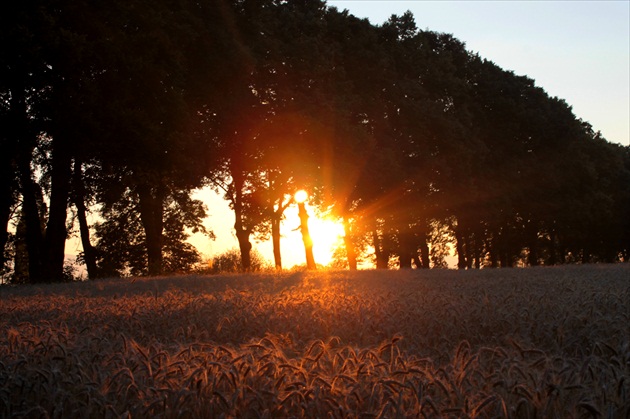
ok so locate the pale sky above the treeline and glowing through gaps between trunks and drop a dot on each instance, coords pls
(576, 50)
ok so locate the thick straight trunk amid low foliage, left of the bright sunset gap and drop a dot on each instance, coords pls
(152, 217)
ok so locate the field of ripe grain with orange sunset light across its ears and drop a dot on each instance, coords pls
(518, 343)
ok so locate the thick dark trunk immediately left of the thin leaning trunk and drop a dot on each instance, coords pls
(56, 233)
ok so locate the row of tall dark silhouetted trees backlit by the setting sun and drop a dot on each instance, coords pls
(112, 114)
